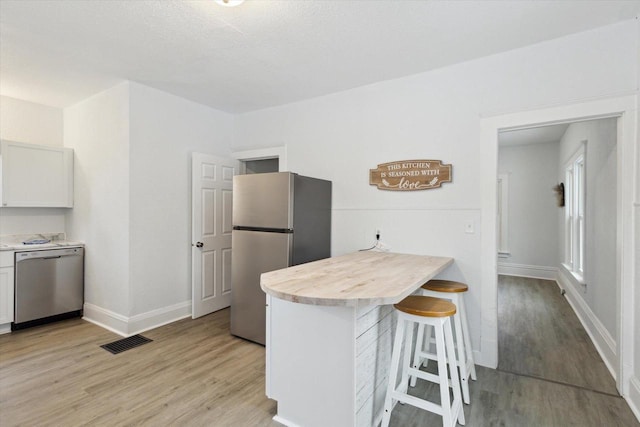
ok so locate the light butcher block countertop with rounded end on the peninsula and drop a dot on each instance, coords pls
(355, 279)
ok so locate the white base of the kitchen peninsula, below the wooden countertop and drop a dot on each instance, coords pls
(328, 365)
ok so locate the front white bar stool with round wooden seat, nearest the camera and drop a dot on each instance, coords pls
(437, 314)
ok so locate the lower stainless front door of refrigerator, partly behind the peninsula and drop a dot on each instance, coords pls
(254, 252)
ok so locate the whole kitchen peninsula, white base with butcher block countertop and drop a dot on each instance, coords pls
(330, 328)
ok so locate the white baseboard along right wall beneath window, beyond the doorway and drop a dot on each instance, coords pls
(601, 338)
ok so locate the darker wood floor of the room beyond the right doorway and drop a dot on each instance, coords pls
(540, 335)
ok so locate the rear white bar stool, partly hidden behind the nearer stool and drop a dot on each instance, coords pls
(452, 291)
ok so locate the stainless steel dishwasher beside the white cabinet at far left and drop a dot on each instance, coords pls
(49, 285)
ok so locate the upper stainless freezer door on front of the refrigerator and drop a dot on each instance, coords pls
(263, 200)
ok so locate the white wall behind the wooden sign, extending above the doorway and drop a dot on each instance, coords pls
(435, 115)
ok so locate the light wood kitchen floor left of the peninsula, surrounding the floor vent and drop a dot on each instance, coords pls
(193, 374)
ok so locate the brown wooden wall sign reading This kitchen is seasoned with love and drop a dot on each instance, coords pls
(410, 175)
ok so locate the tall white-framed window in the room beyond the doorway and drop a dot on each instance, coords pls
(575, 176)
